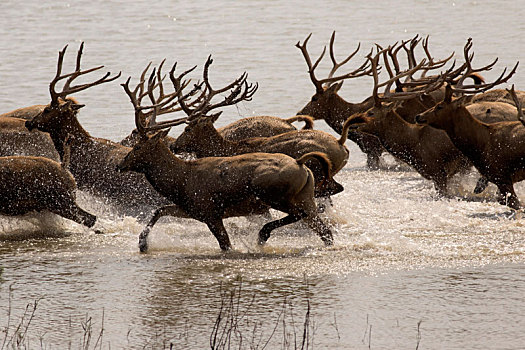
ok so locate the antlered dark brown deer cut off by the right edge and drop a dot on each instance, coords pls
(496, 149)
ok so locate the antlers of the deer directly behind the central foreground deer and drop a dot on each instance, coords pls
(240, 91)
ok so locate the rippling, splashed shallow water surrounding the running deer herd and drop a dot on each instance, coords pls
(402, 256)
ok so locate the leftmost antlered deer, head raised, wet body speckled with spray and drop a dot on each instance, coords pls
(93, 160)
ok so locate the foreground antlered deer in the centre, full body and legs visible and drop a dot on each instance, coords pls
(206, 188)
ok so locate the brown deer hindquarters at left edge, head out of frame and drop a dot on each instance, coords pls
(36, 184)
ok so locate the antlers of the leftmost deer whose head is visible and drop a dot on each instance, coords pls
(67, 89)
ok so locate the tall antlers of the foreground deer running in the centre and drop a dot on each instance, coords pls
(161, 104)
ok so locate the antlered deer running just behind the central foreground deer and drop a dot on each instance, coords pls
(201, 138)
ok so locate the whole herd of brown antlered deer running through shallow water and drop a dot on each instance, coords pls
(440, 123)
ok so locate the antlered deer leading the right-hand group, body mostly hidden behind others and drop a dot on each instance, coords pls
(326, 103)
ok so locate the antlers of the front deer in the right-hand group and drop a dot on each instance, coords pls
(364, 69)
